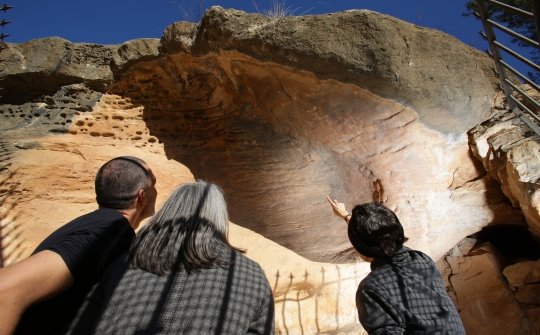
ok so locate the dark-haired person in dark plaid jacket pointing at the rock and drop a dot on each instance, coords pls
(404, 293)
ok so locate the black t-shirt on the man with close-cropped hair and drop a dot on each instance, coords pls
(87, 245)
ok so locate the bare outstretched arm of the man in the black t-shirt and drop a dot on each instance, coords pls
(39, 277)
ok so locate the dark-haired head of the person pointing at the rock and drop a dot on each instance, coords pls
(375, 231)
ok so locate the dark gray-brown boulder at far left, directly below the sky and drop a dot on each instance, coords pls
(41, 66)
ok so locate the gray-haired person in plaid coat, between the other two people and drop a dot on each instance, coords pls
(182, 276)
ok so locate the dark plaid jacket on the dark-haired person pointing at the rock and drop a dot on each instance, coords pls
(405, 294)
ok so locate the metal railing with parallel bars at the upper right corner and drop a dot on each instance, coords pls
(530, 115)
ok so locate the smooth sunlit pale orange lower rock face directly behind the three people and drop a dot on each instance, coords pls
(49, 181)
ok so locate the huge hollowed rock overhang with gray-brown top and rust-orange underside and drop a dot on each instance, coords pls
(357, 105)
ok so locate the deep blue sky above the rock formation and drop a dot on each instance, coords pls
(116, 21)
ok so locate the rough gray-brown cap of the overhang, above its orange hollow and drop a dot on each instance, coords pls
(448, 84)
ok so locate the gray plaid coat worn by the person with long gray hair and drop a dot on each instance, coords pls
(233, 300)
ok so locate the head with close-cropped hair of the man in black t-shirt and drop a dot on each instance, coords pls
(124, 183)
